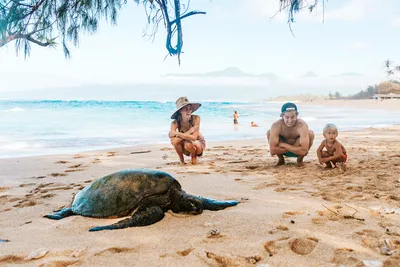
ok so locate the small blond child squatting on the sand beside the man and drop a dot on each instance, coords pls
(335, 152)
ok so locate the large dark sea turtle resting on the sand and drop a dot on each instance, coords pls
(144, 194)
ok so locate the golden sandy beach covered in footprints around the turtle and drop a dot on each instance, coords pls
(288, 215)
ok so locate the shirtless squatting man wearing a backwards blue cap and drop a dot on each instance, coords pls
(290, 136)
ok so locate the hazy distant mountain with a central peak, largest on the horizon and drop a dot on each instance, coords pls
(228, 72)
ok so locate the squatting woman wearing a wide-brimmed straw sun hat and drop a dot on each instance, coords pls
(185, 131)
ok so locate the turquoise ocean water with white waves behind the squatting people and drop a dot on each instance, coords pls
(30, 128)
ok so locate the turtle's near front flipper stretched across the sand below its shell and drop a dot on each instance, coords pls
(142, 217)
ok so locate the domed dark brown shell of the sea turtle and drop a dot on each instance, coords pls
(118, 194)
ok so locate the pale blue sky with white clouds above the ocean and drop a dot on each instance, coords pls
(350, 36)
